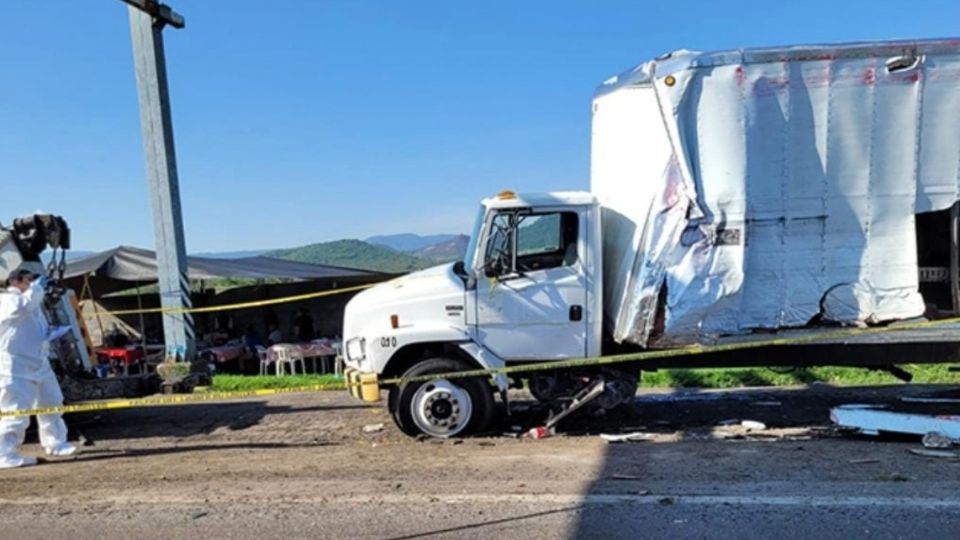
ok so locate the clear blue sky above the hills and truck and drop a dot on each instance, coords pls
(304, 121)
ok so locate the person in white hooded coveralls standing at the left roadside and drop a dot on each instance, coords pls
(26, 378)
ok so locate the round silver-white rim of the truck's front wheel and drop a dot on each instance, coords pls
(441, 408)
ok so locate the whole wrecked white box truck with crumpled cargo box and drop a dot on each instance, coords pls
(734, 195)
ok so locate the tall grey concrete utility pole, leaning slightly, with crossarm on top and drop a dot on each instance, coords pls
(147, 20)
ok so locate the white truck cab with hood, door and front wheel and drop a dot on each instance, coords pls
(528, 290)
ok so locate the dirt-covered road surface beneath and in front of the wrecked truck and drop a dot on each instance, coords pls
(301, 466)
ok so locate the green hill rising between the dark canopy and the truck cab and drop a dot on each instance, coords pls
(354, 254)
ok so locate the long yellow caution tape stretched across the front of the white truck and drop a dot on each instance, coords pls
(525, 368)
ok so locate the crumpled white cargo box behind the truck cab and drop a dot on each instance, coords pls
(762, 188)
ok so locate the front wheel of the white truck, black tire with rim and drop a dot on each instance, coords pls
(443, 407)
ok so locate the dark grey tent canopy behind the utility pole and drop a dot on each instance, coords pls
(124, 267)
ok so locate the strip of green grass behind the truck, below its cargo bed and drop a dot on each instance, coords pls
(743, 377)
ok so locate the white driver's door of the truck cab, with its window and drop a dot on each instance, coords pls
(531, 295)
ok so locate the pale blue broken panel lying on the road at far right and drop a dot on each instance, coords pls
(871, 420)
